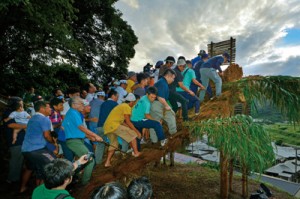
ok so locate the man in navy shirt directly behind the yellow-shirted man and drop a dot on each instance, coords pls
(105, 109)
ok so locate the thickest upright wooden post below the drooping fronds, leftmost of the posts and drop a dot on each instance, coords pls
(223, 176)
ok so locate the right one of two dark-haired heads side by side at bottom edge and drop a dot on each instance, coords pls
(140, 188)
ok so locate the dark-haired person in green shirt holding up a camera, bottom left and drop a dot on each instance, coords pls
(58, 174)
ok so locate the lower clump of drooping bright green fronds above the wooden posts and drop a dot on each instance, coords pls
(239, 139)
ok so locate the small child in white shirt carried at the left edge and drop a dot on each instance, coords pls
(21, 117)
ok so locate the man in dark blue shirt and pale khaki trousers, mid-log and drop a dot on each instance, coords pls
(160, 108)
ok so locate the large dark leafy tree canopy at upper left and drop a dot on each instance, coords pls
(50, 42)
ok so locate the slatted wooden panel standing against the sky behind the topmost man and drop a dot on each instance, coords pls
(219, 48)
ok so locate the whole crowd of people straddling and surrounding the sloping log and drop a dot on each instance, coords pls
(70, 131)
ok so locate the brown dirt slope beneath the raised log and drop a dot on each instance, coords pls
(180, 182)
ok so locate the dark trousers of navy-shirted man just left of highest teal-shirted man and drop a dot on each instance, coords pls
(175, 97)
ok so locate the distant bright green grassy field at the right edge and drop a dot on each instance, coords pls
(284, 133)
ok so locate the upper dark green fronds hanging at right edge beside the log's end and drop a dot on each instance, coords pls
(282, 92)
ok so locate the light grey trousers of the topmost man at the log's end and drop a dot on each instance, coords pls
(210, 74)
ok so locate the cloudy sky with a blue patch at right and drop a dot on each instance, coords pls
(267, 32)
